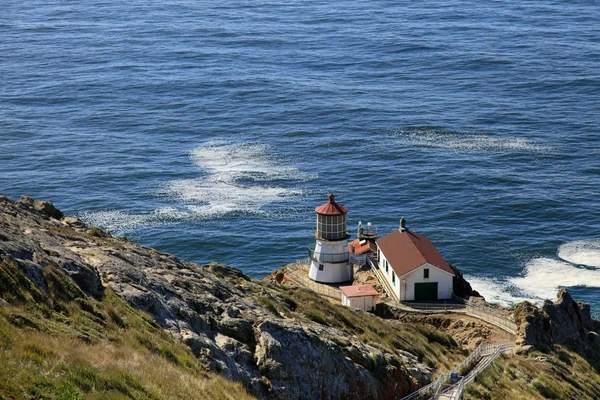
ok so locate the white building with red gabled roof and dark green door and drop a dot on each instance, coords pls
(413, 267)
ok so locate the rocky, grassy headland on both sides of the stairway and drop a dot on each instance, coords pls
(86, 315)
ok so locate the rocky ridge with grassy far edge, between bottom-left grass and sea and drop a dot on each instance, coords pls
(280, 343)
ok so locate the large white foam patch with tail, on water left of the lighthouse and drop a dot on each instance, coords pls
(232, 178)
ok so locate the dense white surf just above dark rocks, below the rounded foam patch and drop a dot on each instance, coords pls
(544, 276)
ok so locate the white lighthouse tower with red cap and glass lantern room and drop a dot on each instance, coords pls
(329, 259)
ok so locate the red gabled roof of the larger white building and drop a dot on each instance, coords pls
(408, 250)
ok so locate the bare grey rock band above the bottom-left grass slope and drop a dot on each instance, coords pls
(213, 309)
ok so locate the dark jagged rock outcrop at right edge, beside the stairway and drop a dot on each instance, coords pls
(564, 322)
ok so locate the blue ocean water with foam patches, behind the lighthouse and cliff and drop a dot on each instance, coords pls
(211, 130)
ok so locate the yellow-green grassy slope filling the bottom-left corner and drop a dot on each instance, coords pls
(64, 345)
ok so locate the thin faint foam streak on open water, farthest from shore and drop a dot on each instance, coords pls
(468, 142)
